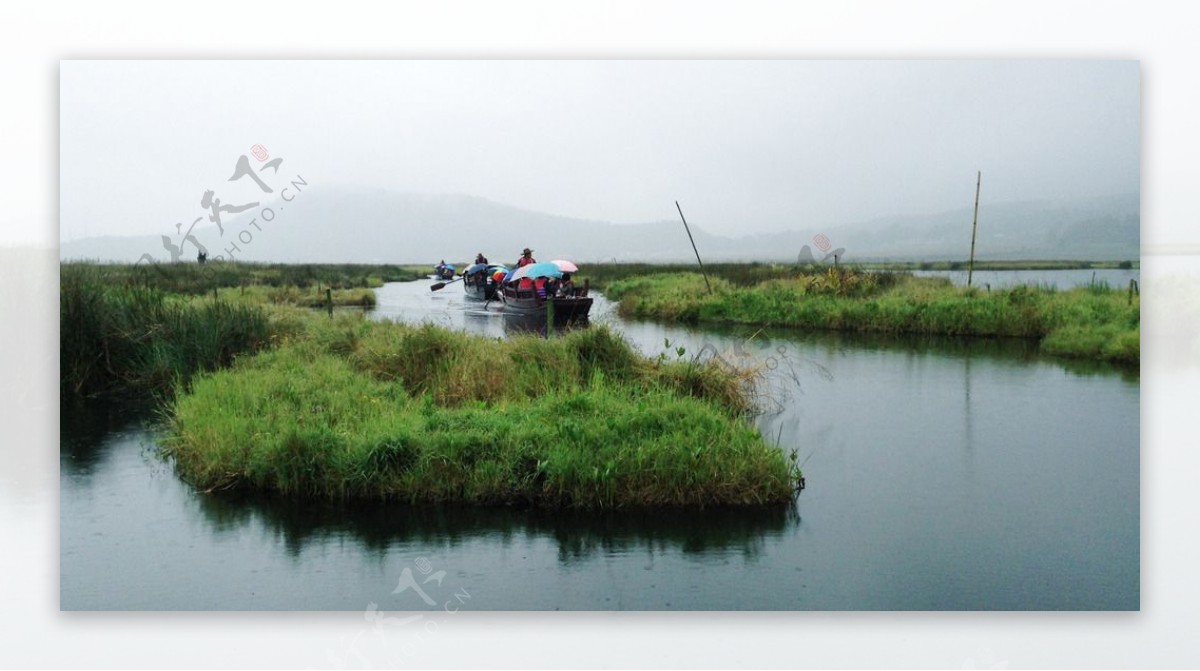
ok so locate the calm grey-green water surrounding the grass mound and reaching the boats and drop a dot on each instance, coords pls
(941, 476)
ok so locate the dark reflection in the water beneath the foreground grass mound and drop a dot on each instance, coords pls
(578, 536)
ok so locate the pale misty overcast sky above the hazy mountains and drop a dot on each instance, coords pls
(746, 147)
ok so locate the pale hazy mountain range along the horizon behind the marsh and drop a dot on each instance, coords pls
(377, 226)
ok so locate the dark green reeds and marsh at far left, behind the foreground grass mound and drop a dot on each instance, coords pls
(133, 332)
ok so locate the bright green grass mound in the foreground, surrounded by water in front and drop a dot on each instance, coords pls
(352, 409)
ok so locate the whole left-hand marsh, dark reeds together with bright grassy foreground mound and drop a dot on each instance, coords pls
(262, 394)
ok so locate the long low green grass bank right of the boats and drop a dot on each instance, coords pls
(1094, 322)
